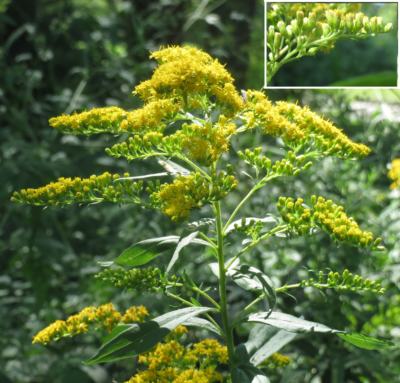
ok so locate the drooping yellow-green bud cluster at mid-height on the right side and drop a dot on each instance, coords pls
(329, 218)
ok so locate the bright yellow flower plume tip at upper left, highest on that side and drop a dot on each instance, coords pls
(94, 121)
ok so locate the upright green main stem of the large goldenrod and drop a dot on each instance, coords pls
(222, 288)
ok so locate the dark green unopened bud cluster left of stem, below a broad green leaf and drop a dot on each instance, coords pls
(137, 279)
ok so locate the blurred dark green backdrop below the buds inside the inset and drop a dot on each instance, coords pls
(376, 57)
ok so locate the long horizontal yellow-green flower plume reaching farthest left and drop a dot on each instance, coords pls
(67, 191)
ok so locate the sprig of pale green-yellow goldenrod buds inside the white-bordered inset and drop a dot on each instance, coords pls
(295, 30)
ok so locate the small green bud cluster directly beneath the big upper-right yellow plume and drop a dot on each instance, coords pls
(287, 167)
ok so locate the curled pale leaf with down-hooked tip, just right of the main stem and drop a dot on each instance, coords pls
(250, 278)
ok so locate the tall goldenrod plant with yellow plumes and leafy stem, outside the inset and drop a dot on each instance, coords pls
(191, 113)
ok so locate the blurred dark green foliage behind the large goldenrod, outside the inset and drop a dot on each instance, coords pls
(61, 56)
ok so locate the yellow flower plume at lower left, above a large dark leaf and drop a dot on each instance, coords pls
(89, 318)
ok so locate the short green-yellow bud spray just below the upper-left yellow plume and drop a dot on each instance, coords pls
(137, 147)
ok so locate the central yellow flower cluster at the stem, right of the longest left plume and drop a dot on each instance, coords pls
(185, 194)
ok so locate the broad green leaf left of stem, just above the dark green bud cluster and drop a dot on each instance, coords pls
(144, 251)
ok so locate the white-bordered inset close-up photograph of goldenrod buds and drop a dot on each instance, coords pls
(331, 45)
